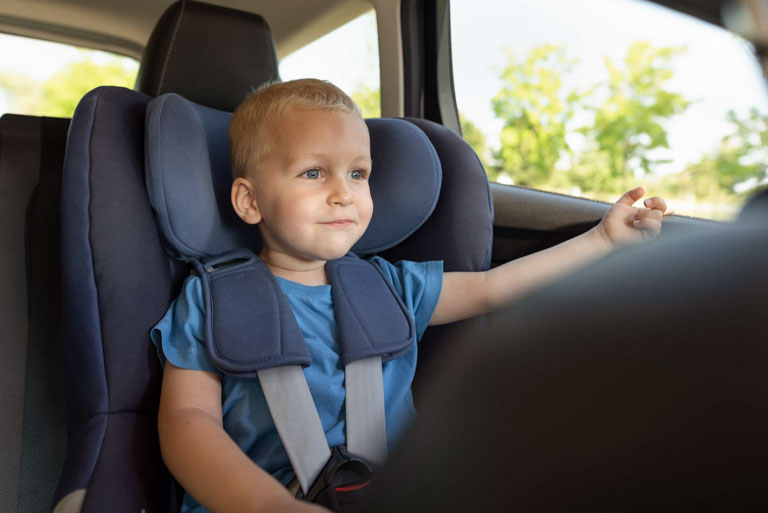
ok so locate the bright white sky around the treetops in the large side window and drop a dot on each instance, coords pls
(717, 71)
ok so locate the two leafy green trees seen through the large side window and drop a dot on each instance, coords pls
(621, 120)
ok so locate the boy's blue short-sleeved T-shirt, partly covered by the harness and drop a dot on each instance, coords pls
(180, 337)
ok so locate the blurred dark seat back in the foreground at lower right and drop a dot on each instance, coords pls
(637, 384)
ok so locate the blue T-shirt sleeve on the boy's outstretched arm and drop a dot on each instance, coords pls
(418, 284)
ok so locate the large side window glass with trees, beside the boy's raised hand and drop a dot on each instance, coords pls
(589, 98)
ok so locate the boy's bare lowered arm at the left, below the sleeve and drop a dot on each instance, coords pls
(204, 459)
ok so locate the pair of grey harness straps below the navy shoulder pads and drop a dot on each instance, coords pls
(298, 423)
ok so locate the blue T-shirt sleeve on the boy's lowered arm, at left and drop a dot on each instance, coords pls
(180, 335)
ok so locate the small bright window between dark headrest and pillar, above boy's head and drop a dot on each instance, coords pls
(348, 57)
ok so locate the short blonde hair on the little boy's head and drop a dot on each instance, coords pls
(249, 131)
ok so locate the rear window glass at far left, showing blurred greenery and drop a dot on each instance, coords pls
(41, 78)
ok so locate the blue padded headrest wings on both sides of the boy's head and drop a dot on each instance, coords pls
(189, 179)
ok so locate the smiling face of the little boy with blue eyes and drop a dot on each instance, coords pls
(312, 189)
